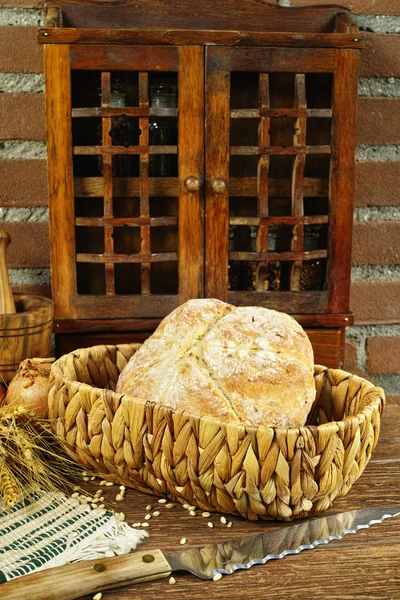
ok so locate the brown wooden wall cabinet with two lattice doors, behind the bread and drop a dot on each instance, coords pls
(212, 159)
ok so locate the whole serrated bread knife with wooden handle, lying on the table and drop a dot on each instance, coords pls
(89, 577)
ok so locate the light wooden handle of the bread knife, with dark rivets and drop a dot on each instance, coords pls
(88, 577)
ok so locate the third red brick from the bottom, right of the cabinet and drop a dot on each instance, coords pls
(376, 243)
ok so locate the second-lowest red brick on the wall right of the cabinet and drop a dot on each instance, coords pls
(375, 302)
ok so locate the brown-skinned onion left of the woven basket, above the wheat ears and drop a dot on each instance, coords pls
(30, 386)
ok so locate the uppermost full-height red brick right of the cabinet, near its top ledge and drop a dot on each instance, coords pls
(381, 55)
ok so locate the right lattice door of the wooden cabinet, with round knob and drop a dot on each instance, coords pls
(280, 145)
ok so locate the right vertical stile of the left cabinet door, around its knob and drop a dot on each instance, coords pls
(191, 164)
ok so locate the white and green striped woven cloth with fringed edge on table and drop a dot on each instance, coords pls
(50, 530)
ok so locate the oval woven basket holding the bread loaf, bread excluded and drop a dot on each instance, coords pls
(257, 472)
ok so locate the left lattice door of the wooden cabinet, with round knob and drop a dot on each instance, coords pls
(126, 156)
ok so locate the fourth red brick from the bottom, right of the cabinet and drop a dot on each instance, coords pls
(377, 184)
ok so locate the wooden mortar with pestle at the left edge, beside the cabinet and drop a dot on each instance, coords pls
(26, 322)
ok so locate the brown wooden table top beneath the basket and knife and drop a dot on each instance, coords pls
(365, 565)
